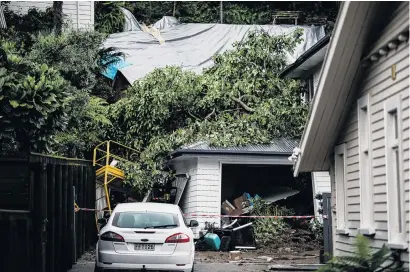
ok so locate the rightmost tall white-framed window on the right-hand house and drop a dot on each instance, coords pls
(394, 175)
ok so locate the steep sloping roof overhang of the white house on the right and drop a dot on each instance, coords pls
(339, 76)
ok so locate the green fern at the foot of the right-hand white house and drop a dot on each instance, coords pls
(364, 259)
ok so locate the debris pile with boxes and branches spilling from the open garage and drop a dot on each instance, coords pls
(262, 235)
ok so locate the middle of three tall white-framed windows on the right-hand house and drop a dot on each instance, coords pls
(366, 186)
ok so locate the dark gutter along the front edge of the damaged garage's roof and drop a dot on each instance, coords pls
(180, 152)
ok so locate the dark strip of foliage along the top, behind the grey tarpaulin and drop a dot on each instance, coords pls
(234, 12)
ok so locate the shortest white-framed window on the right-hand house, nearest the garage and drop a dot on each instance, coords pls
(340, 179)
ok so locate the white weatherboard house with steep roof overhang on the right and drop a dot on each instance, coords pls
(358, 126)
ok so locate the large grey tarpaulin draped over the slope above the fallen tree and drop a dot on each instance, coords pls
(190, 46)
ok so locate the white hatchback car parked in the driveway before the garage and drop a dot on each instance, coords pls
(146, 237)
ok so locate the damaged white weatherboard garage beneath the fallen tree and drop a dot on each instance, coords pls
(207, 176)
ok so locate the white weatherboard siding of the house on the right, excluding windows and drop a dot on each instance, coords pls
(377, 82)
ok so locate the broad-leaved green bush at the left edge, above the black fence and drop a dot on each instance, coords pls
(33, 100)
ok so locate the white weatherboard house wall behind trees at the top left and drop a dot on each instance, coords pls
(80, 15)
